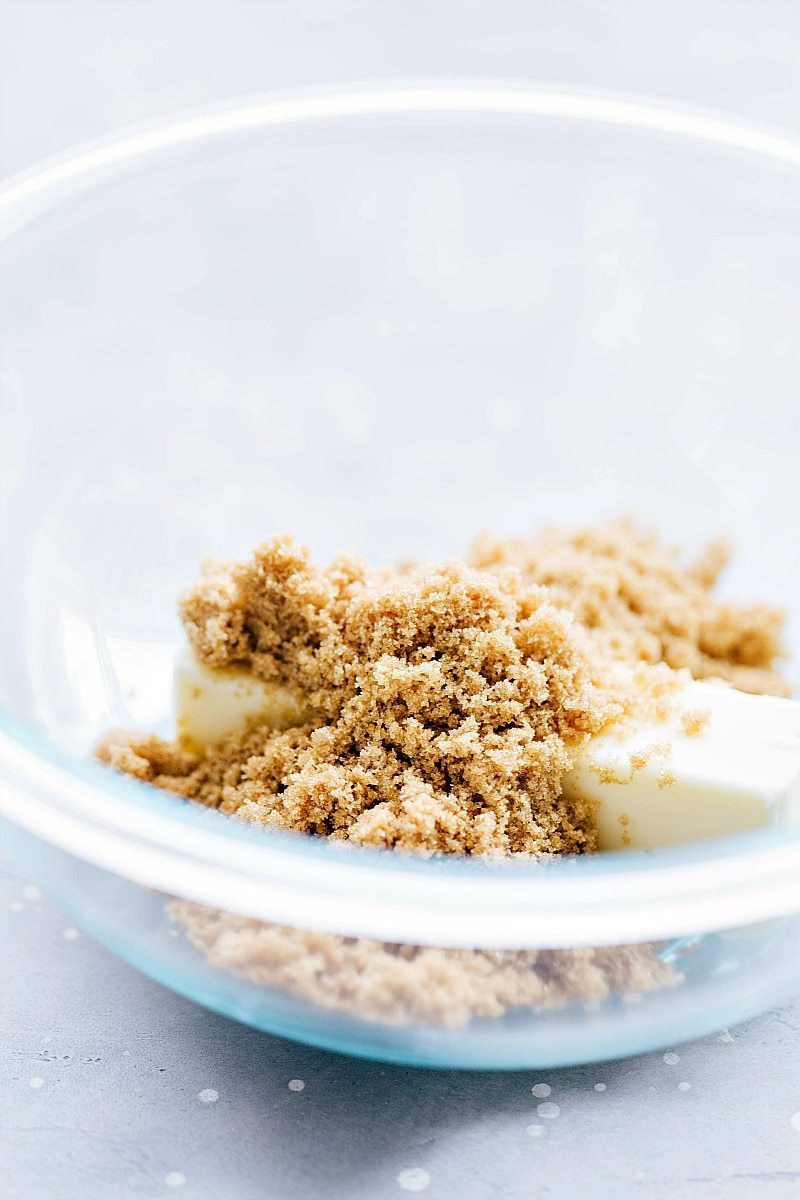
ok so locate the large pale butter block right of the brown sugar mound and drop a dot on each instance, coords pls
(723, 764)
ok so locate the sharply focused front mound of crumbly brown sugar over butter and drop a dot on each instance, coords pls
(450, 705)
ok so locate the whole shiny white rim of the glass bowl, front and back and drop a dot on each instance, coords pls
(161, 842)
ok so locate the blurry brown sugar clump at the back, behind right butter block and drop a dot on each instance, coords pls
(640, 605)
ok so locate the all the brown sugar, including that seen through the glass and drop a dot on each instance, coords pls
(442, 710)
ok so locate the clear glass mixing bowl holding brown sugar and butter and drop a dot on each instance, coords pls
(388, 319)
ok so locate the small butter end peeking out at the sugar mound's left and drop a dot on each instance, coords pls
(210, 704)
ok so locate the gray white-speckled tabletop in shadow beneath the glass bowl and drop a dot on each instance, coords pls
(123, 1061)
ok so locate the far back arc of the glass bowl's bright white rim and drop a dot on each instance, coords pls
(91, 160)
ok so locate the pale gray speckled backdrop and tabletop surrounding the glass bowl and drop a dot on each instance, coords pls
(111, 1087)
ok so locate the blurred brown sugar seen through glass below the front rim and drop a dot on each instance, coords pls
(404, 985)
